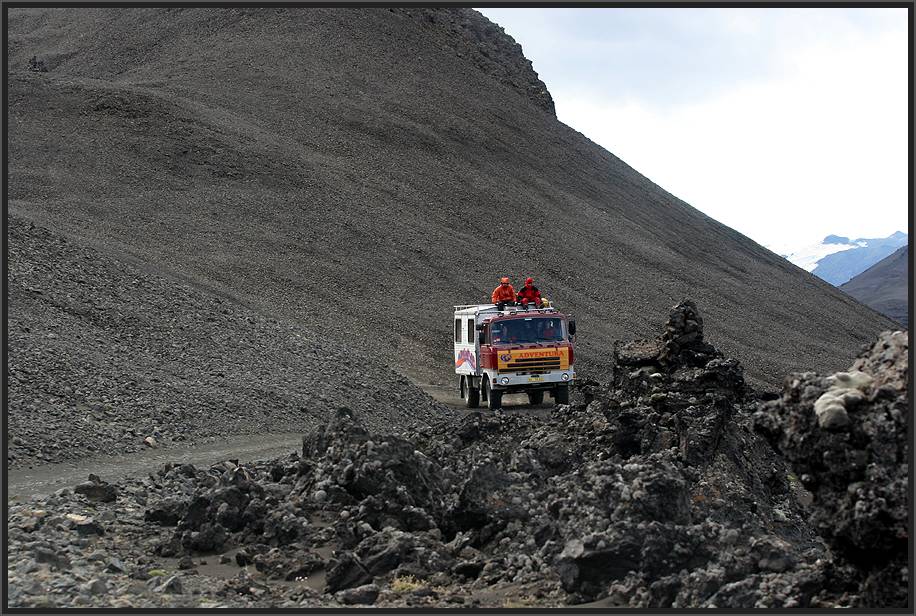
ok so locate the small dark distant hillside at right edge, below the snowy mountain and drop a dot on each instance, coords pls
(885, 286)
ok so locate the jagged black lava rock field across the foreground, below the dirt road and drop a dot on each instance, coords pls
(653, 489)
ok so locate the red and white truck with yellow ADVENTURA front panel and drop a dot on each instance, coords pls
(511, 351)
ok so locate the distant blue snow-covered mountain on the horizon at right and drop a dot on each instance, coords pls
(838, 259)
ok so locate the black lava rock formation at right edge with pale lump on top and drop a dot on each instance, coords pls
(845, 436)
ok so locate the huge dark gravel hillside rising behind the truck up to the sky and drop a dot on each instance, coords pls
(360, 171)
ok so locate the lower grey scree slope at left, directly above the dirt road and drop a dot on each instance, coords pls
(107, 357)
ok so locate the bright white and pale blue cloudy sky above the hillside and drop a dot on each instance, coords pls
(785, 124)
